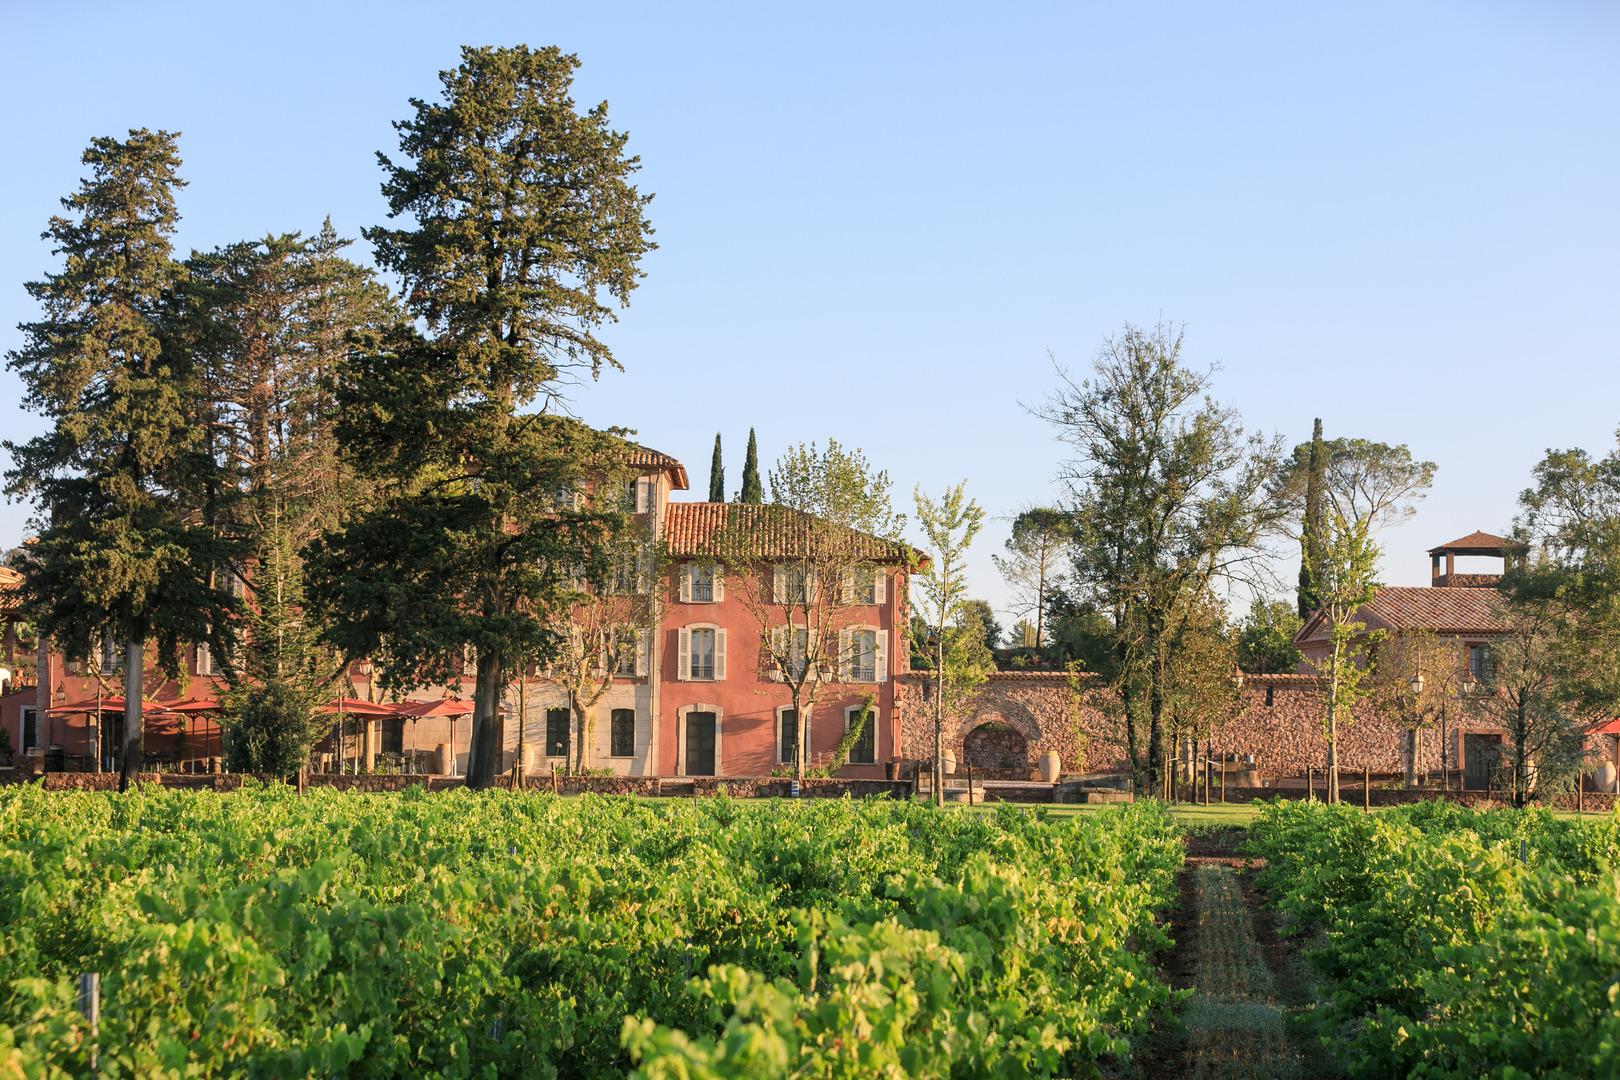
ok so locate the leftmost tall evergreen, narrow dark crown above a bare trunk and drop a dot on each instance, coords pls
(126, 548)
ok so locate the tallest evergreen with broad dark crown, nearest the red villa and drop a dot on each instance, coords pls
(526, 229)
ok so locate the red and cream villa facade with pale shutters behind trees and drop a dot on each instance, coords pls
(696, 697)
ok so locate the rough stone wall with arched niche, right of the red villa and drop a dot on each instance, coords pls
(1285, 736)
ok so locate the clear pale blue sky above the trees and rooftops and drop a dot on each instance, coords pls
(876, 221)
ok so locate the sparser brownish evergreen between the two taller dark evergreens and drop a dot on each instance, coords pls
(283, 312)
